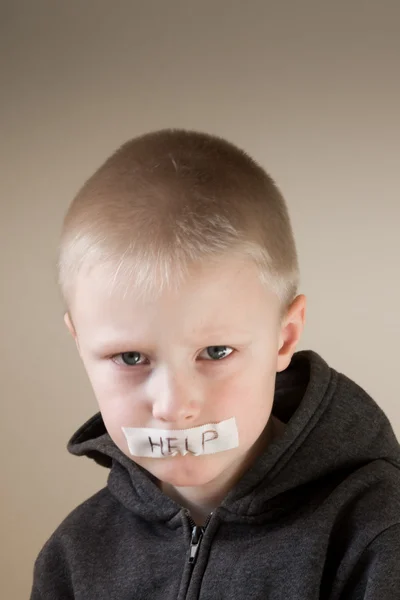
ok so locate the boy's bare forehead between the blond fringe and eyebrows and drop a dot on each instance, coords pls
(217, 298)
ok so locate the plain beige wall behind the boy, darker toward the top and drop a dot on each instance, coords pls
(311, 89)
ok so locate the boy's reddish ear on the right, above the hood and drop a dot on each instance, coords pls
(291, 330)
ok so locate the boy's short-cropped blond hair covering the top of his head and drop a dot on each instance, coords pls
(169, 199)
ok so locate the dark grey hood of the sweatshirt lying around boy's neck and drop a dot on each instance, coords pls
(333, 428)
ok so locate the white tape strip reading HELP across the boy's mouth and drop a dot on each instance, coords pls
(163, 443)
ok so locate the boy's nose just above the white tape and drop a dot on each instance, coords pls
(174, 401)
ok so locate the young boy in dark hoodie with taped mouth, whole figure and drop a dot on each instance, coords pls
(239, 468)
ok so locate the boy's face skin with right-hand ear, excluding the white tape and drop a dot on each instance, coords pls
(155, 364)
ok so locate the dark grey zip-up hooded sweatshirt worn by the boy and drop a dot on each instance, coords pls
(316, 517)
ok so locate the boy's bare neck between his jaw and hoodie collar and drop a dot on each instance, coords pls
(202, 500)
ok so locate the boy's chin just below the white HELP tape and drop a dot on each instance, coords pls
(185, 471)
